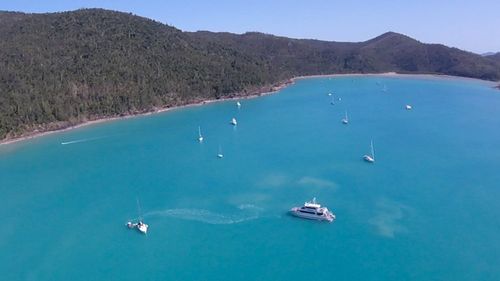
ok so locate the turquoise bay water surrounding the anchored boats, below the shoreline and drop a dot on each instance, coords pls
(426, 210)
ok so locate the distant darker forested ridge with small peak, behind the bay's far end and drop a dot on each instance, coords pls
(388, 52)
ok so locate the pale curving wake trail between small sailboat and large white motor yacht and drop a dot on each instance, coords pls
(209, 217)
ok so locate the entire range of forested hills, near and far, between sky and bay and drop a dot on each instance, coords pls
(65, 68)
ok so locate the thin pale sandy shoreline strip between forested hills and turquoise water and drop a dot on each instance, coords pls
(269, 91)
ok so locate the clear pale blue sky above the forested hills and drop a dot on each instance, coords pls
(468, 25)
